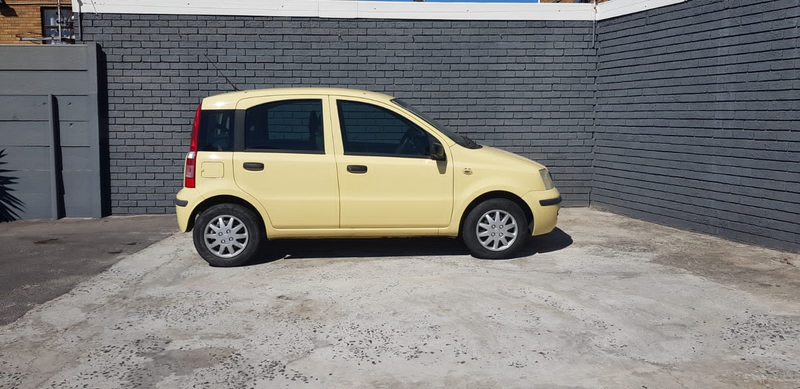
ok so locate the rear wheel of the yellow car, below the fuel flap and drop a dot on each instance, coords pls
(234, 218)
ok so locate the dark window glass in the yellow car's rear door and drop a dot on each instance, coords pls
(293, 126)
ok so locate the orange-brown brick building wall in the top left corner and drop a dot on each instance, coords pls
(23, 18)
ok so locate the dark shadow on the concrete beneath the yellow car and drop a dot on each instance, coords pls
(396, 247)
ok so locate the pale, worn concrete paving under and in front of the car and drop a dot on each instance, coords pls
(605, 302)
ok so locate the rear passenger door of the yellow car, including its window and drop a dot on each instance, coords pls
(284, 158)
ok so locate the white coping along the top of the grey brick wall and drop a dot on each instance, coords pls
(351, 9)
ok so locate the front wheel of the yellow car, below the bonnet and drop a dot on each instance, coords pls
(484, 246)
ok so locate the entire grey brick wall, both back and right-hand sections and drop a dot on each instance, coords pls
(685, 115)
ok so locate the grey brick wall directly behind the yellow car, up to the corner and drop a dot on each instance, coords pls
(527, 87)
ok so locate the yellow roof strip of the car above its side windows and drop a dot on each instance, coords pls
(229, 100)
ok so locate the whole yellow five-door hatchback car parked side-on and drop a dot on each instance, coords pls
(325, 163)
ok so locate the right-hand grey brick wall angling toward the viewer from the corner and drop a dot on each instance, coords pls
(698, 107)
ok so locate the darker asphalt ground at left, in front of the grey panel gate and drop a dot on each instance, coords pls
(43, 259)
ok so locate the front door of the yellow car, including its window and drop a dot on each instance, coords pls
(387, 178)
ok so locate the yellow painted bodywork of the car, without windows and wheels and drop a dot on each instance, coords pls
(314, 195)
